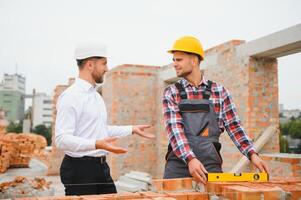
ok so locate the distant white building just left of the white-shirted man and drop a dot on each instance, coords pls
(41, 109)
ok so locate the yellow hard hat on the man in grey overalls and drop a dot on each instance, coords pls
(188, 44)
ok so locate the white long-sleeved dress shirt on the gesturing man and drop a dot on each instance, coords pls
(82, 119)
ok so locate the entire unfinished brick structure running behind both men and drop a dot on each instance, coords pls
(133, 95)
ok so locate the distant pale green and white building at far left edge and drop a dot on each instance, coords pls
(12, 94)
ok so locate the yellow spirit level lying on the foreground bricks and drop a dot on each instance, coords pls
(217, 177)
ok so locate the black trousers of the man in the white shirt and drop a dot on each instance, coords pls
(85, 176)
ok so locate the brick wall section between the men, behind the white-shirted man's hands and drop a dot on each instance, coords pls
(130, 95)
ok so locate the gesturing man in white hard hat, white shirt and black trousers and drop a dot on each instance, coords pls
(81, 129)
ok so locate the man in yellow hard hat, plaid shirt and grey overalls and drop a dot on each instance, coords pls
(196, 111)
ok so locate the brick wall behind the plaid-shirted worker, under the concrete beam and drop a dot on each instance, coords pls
(253, 85)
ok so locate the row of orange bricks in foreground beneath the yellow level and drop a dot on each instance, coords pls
(185, 189)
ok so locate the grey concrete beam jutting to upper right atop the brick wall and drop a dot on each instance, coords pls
(281, 43)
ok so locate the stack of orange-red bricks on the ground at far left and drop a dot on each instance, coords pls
(16, 150)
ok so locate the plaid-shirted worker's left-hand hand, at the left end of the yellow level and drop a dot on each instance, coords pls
(197, 170)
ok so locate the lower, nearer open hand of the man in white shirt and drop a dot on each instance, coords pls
(108, 144)
